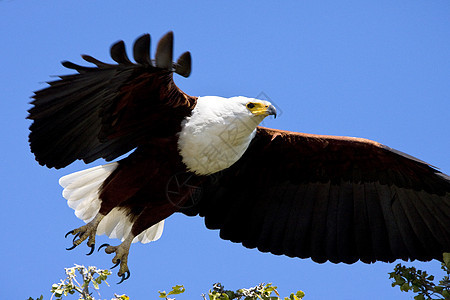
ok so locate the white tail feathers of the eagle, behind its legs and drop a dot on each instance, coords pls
(81, 189)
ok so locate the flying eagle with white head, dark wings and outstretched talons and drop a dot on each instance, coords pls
(328, 198)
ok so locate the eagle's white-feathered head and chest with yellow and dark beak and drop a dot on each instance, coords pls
(219, 131)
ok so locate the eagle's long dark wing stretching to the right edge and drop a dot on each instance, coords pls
(330, 198)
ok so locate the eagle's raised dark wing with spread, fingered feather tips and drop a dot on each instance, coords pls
(107, 110)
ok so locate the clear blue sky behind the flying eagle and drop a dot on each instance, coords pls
(373, 69)
